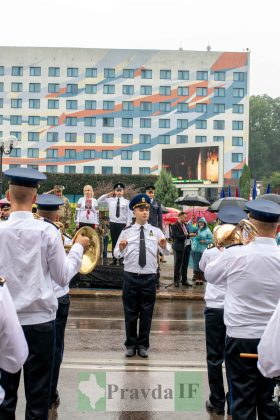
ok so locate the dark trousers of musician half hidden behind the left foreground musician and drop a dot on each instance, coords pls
(60, 324)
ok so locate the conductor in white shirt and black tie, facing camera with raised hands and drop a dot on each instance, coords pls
(138, 244)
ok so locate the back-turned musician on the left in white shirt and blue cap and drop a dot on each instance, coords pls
(31, 256)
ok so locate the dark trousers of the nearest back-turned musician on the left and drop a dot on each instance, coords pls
(37, 375)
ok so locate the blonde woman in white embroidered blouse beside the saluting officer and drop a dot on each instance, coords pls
(87, 213)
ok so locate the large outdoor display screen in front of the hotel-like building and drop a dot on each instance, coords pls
(192, 165)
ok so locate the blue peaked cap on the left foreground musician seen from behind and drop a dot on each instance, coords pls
(25, 177)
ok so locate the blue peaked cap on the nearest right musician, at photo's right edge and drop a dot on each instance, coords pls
(264, 210)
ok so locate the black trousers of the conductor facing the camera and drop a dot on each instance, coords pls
(139, 296)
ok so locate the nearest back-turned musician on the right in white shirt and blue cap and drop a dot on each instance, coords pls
(251, 276)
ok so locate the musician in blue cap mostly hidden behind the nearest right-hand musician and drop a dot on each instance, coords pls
(215, 329)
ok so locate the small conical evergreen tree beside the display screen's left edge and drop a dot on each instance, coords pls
(166, 191)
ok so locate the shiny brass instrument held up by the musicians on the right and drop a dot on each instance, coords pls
(227, 234)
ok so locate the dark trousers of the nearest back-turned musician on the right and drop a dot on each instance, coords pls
(250, 392)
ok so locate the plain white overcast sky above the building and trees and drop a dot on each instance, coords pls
(227, 25)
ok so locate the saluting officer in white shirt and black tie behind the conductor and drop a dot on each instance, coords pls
(119, 214)
